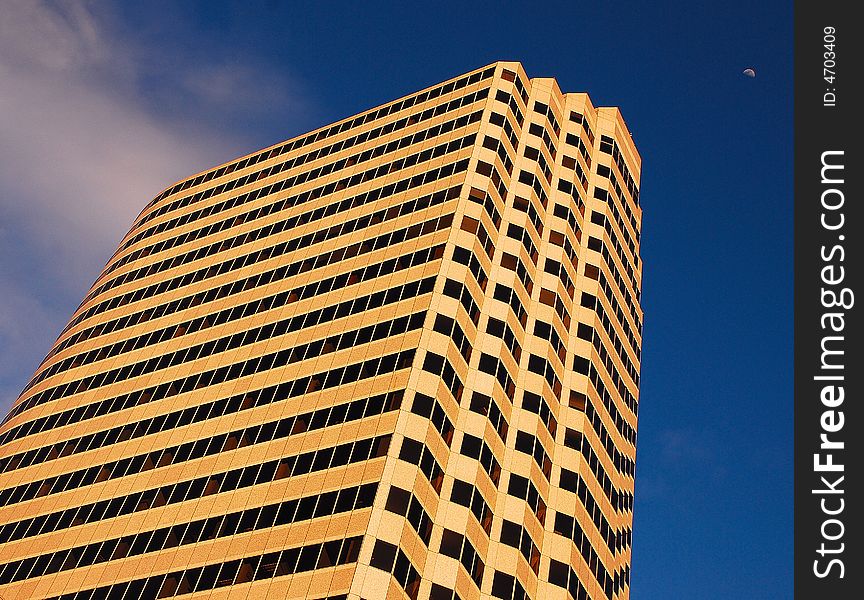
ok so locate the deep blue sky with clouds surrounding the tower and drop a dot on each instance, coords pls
(104, 104)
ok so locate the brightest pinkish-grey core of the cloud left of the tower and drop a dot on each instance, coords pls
(76, 165)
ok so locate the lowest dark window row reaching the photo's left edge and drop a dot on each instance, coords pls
(182, 534)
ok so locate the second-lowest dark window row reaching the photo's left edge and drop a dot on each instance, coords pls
(244, 477)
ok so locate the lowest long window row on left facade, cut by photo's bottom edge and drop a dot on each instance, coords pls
(252, 568)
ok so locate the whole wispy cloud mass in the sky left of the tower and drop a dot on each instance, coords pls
(93, 125)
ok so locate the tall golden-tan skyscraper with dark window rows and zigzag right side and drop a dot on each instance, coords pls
(397, 356)
